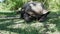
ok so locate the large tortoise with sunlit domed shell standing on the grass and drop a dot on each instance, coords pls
(35, 10)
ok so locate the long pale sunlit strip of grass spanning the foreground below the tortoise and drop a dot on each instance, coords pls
(25, 25)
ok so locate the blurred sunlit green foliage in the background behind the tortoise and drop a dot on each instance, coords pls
(15, 4)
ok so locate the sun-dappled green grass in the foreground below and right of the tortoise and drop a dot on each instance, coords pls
(19, 26)
